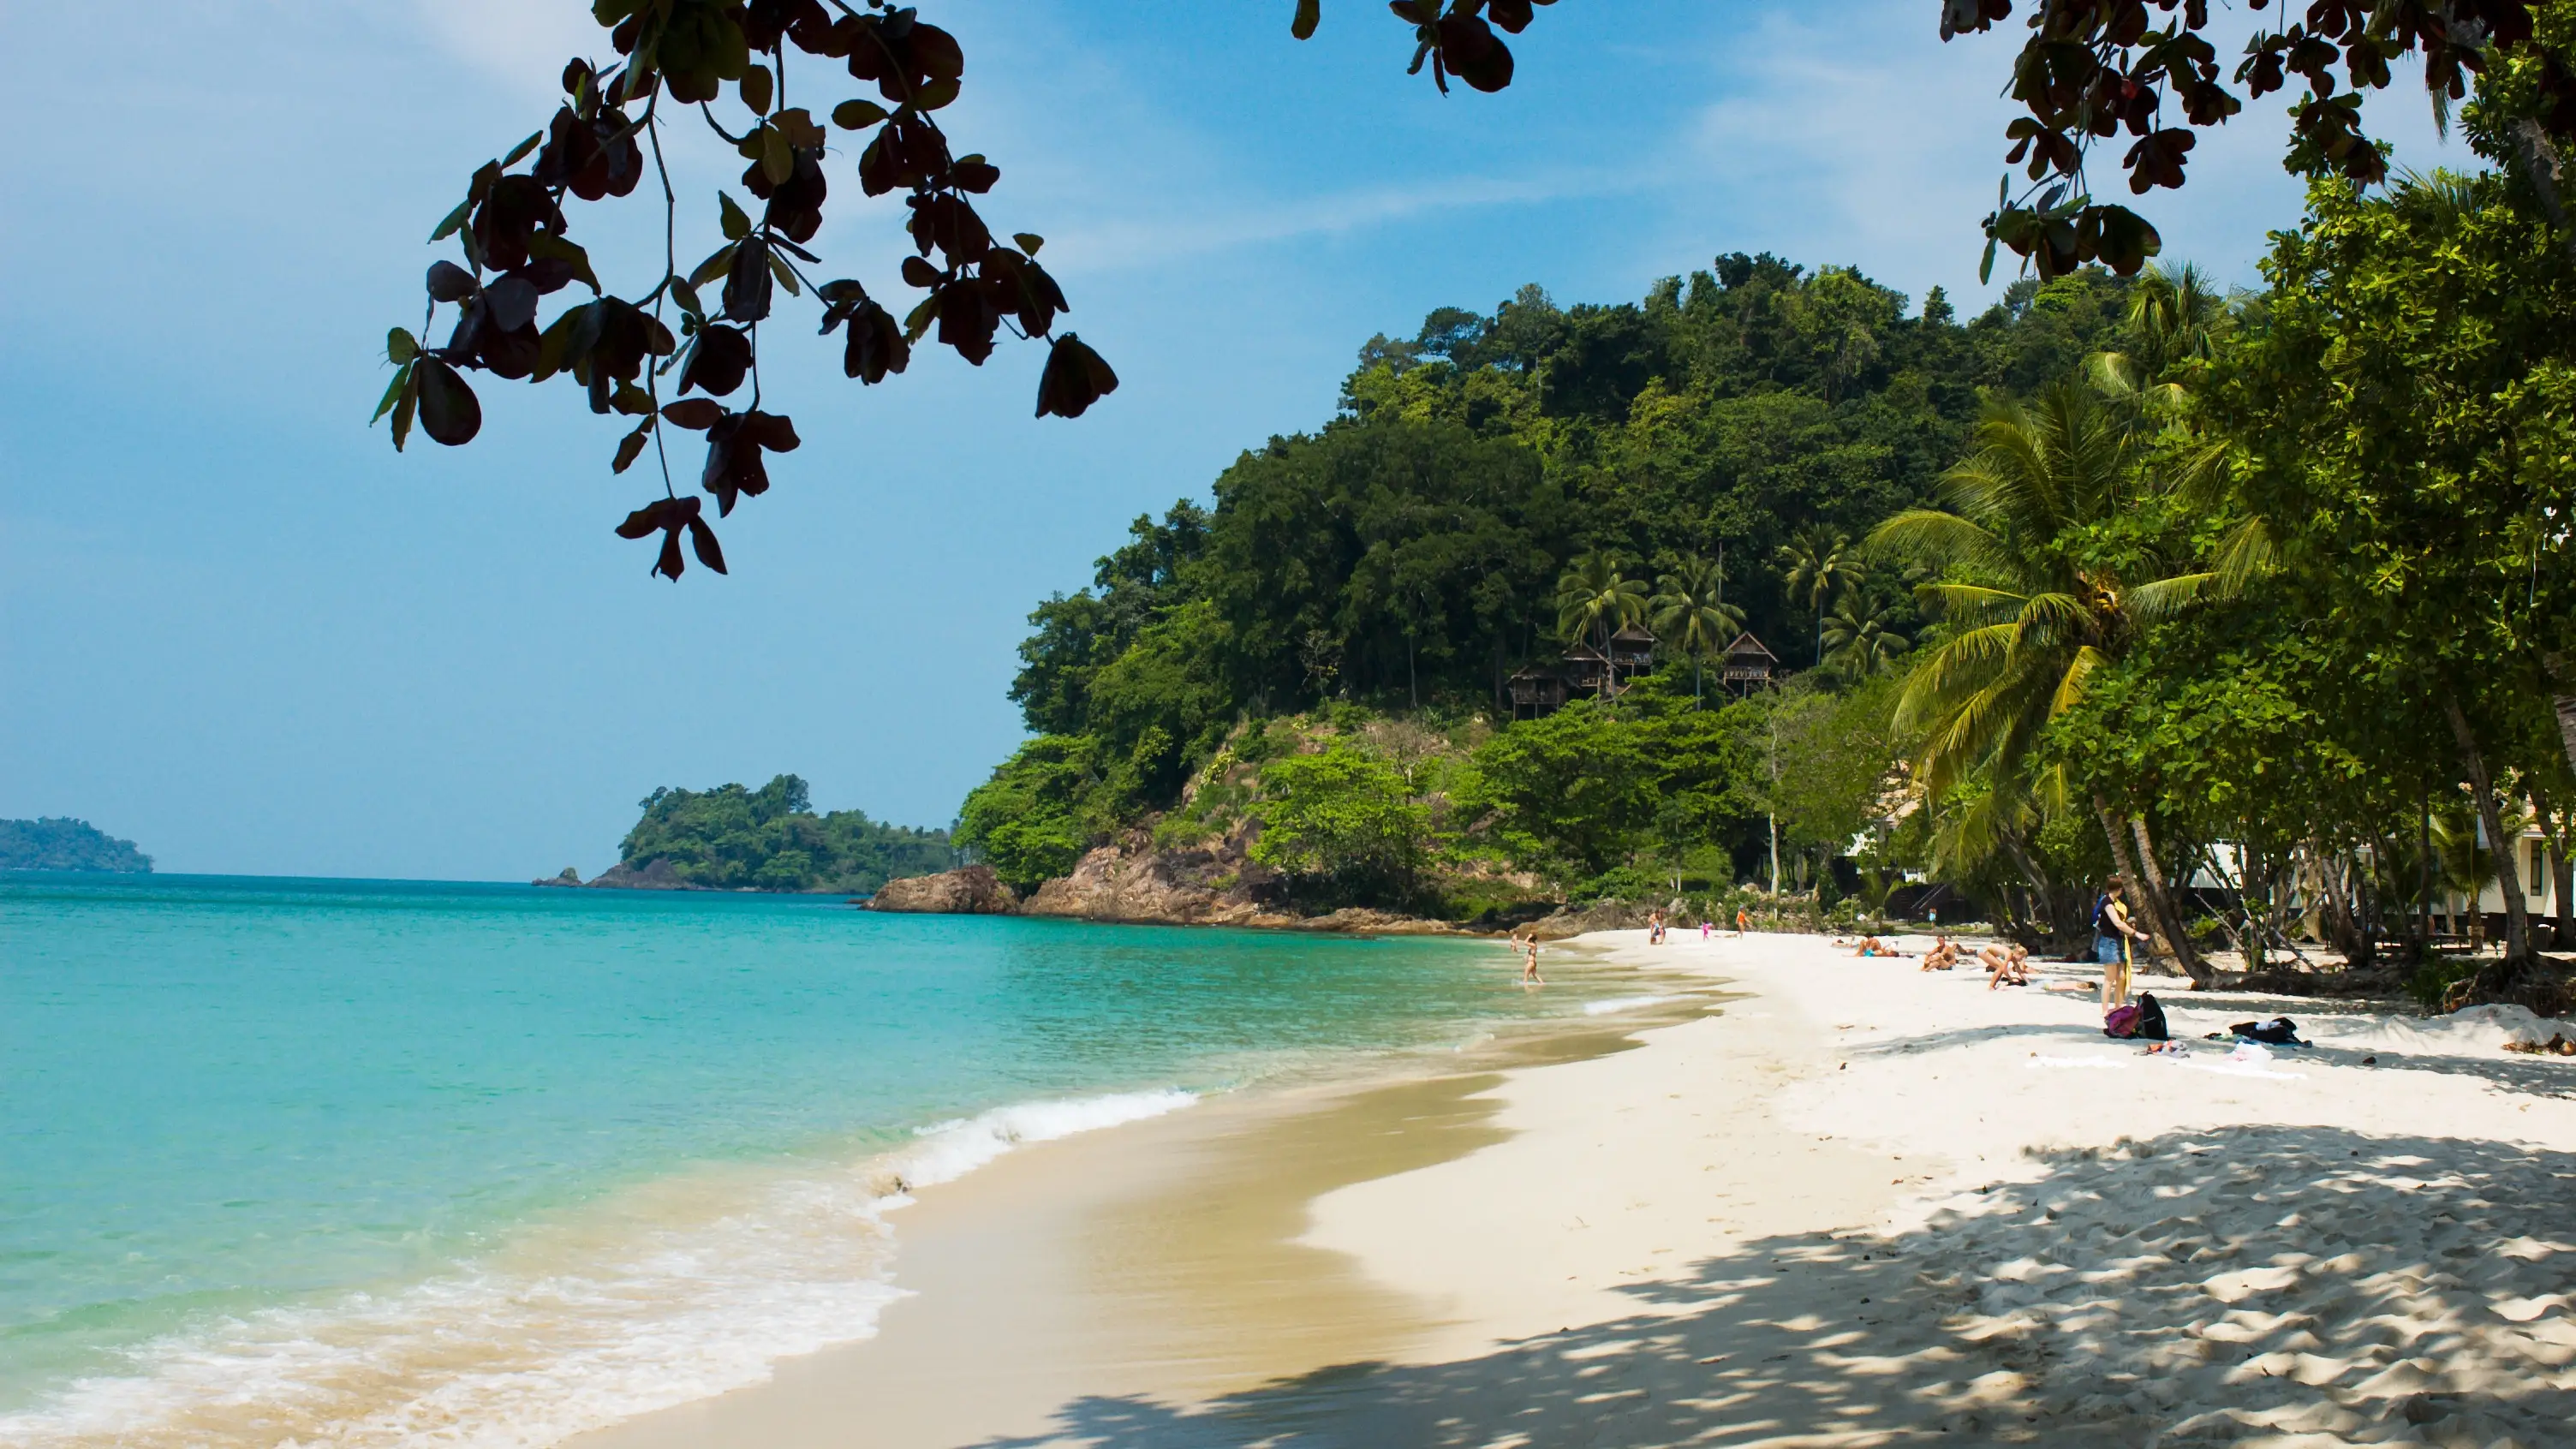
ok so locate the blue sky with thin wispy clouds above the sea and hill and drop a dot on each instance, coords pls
(249, 636)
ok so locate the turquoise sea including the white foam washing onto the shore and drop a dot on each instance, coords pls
(305, 1162)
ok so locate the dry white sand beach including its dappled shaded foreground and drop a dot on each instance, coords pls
(1871, 1205)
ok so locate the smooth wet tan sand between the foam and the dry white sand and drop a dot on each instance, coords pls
(1158, 1262)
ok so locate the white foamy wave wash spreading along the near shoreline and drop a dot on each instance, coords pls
(674, 1293)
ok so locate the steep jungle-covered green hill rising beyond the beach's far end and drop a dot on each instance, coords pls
(1408, 556)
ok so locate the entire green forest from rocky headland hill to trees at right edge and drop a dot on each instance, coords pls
(2253, 597)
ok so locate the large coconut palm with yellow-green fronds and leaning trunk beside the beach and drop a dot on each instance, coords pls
(2031, 615)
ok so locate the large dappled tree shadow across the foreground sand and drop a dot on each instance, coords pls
(2278, 1285)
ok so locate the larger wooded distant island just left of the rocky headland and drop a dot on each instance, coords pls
(764, 839)
